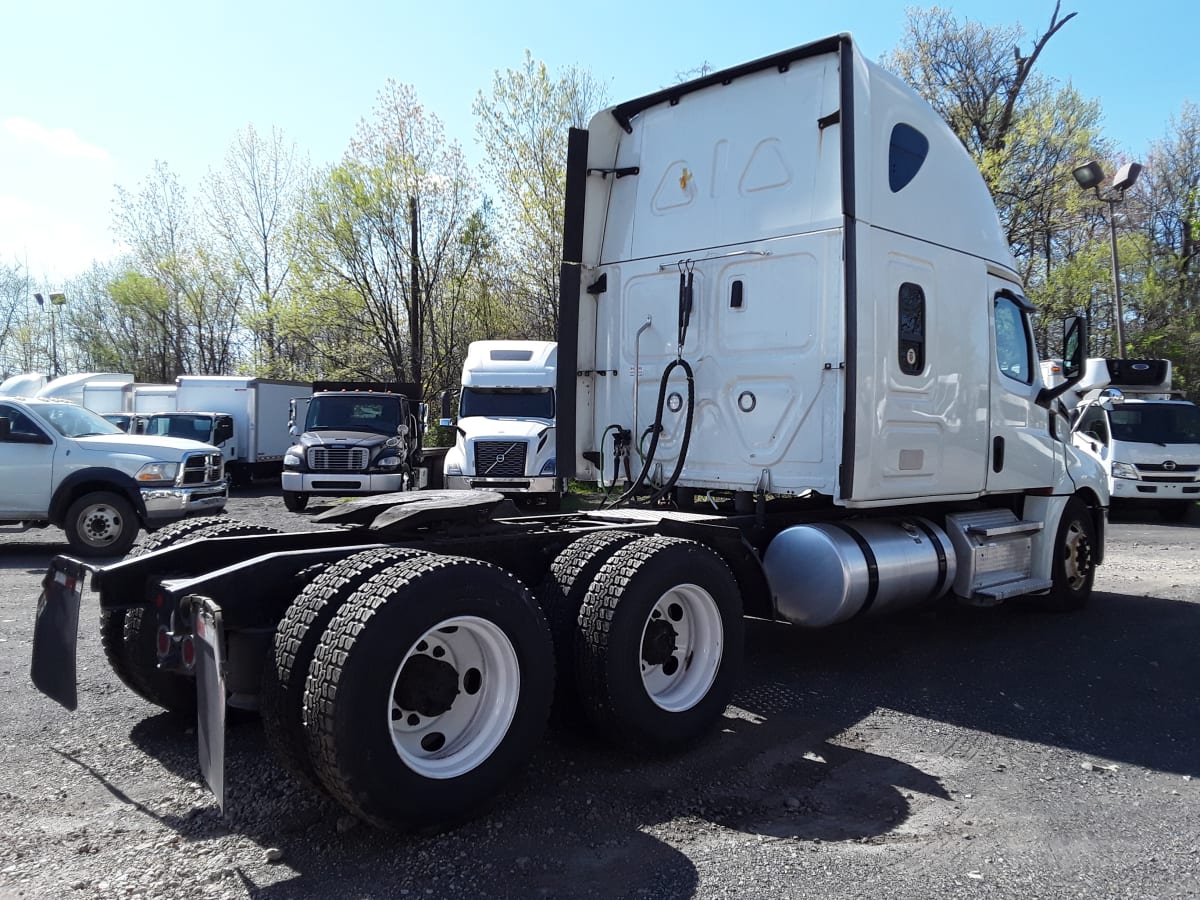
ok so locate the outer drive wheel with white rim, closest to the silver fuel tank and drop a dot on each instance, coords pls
(661, 644)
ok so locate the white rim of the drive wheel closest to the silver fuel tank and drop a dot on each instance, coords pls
(681, 649)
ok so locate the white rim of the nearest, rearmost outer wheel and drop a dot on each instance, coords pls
(461, 691)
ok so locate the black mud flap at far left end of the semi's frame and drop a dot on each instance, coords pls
(57, 632)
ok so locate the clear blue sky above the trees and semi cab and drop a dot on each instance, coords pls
(93, 93)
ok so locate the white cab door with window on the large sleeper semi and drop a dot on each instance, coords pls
(1022, 452)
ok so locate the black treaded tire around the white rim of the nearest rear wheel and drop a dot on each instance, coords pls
(358, 659)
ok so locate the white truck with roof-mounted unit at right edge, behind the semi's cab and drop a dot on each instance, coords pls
(1145, 436)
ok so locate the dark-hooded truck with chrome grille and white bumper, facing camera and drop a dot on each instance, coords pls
(355, 440)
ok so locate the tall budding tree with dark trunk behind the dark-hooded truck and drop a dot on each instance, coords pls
(386, 226)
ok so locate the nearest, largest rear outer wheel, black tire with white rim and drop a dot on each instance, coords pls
(431, 687)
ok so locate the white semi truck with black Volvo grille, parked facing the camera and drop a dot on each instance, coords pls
(505, 439)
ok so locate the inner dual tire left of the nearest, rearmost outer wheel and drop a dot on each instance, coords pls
(286, 669)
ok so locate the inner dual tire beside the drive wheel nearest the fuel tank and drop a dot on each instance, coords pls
(561, 597)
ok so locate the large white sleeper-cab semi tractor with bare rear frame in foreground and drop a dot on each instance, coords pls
(788, 275)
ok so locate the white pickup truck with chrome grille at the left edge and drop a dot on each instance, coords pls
(67, 466)
